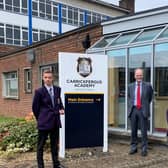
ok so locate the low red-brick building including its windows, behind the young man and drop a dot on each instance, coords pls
(21, 70)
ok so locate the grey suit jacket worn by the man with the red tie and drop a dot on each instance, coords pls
(146, 98)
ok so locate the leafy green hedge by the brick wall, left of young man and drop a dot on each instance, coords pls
(18, 135)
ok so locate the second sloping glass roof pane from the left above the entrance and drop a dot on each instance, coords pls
(124, 38)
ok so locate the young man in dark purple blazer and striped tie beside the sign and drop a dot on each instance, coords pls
(47, 107)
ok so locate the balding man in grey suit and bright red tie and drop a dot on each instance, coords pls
(140, 95)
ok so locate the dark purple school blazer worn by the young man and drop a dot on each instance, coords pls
(47, 116)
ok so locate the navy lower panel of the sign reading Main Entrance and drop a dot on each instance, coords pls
(84, 120)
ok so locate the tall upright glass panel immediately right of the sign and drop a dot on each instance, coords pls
(116, 78)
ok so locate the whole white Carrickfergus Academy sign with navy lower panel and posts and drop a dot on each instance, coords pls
(83, 79)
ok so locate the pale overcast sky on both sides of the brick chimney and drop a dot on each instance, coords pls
(141, 5)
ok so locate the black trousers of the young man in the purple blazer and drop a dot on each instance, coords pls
(54, 140)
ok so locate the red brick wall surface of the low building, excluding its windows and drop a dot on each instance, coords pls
(46, 53)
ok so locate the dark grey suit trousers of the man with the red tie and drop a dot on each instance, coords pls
(137, 119)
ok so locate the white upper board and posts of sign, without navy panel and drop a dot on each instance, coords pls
(68, 69)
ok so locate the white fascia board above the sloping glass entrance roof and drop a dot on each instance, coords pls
(135, 21)
